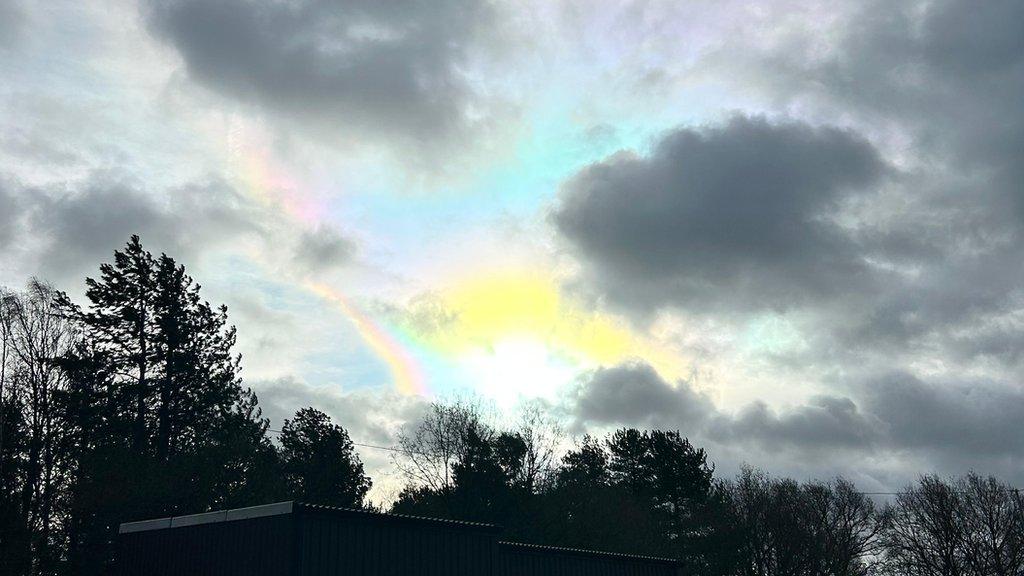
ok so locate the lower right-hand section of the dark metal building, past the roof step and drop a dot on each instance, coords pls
(526, 560)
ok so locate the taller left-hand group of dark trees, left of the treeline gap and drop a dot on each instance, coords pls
(133, 408)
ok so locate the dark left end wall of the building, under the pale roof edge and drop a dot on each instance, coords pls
(260, 547)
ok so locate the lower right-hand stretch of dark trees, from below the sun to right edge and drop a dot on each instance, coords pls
(653, 492)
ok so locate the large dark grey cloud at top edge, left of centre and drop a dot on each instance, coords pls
(391, 67)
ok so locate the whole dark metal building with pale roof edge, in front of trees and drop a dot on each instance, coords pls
(297, 540)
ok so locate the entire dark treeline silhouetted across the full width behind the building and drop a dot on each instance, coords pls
(133, 407)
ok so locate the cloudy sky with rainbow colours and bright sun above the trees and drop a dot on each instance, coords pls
(792, 230)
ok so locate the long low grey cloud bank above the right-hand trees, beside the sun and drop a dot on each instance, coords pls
(952, 427)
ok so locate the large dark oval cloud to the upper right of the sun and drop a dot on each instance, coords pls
(737, 215)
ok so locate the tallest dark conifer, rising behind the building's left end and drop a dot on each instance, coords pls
(162, 423)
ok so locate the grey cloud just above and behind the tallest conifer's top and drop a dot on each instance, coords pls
(82, 223)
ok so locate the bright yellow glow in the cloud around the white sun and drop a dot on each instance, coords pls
(518, 334)
